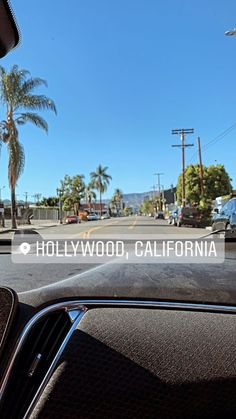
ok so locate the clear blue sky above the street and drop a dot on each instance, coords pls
(123, 74)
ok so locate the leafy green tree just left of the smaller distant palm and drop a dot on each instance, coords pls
(72, 190)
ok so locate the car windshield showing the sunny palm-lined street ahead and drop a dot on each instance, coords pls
(117, 143)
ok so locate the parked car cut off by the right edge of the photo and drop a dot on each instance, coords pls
(225, 218)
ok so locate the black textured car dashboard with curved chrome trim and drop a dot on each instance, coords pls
(110, 358)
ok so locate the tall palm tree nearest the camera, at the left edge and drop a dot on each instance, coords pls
(17, 95)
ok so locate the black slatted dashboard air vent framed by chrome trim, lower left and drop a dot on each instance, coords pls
(34, 360)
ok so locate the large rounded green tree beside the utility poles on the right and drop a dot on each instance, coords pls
(216, 182)
